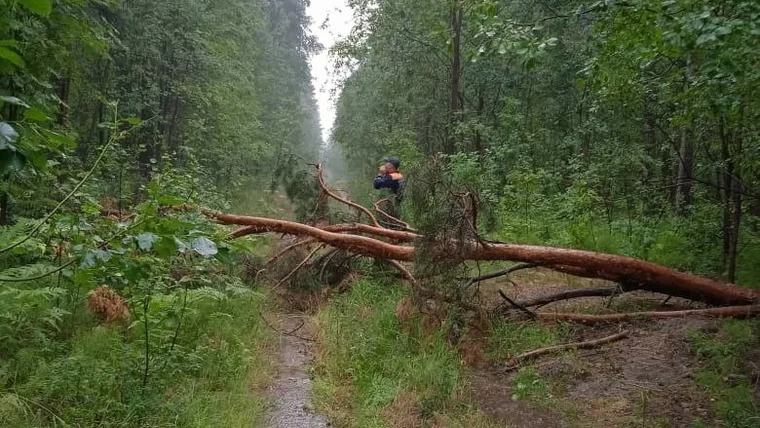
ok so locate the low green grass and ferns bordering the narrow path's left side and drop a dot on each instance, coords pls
(208, 377)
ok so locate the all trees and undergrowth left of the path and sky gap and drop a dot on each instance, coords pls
(121, 107)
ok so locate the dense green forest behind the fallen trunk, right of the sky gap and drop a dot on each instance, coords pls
(622, 126)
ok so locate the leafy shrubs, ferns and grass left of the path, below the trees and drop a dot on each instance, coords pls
(146, 323)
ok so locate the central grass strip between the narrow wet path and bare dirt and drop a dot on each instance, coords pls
(372, 371)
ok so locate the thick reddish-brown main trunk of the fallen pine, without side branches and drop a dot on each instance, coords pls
(621, 269)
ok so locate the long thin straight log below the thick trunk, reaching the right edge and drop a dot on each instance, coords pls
(740, 312)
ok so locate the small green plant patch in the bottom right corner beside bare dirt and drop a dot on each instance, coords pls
(724, 378)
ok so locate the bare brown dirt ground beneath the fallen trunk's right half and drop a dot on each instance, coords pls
(644, 380)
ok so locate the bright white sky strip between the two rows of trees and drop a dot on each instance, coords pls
(331, 20)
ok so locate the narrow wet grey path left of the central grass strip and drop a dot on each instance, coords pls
(291, 388)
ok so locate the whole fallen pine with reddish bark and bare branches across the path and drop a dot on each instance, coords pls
(396, 246)
